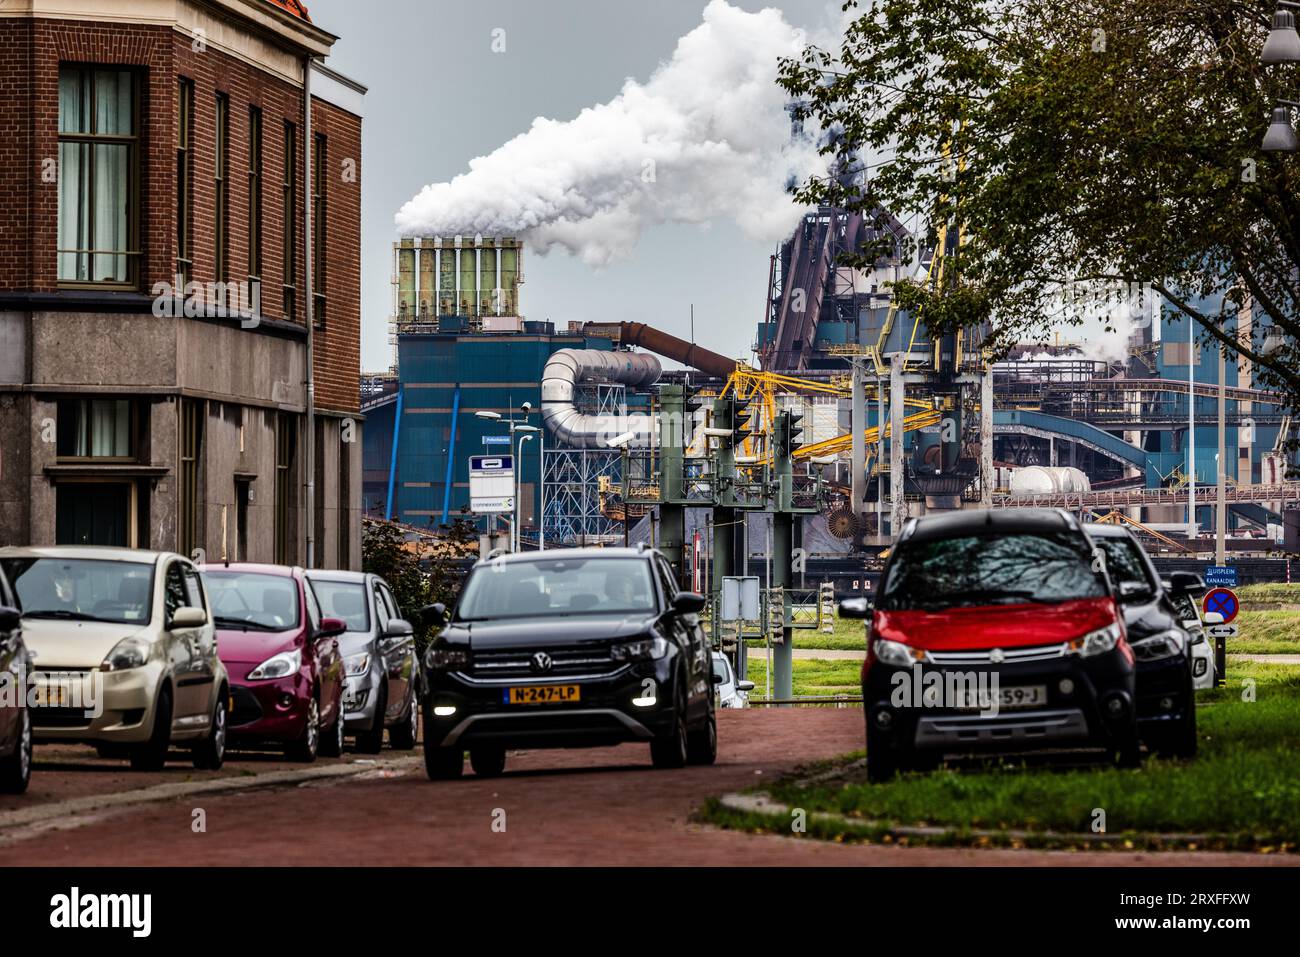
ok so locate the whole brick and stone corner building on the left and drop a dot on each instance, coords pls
(170, 220)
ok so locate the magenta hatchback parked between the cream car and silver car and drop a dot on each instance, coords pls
(287, 673)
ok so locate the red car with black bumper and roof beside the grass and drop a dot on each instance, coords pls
(994, 631)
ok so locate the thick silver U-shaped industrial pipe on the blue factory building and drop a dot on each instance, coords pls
(580, 431)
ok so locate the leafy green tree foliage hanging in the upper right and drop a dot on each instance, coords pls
(1086, 142)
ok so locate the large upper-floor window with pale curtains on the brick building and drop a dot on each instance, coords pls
(97, 175)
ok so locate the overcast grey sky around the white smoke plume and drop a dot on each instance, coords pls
(439, 97)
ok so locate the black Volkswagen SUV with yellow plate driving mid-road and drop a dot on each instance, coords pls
(569, 649)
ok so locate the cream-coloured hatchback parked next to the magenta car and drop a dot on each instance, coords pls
(125, 652)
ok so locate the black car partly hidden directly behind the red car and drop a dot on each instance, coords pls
(1167, 700)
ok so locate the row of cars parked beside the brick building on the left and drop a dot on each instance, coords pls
(140, 653)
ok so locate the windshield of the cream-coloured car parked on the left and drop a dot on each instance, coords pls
(83, 590)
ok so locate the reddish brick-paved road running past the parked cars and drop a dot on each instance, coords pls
(601, 807)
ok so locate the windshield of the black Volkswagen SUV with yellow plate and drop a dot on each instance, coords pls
(557, 587)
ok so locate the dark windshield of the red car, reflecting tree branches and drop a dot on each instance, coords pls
(990, 570)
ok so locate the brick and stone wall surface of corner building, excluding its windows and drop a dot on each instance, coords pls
(72, 341)
